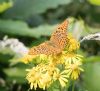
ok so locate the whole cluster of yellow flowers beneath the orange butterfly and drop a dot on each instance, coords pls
(62, 68)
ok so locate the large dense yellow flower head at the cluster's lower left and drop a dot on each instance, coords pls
(39, 76)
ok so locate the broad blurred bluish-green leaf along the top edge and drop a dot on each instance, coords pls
(25, 8)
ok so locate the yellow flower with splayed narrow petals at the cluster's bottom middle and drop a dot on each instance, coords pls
(61, 76)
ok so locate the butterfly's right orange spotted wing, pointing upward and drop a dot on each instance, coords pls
(59, 36)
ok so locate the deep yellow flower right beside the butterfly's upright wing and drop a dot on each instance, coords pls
(72, 44)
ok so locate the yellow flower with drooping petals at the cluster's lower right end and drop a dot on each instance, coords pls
(74, 69)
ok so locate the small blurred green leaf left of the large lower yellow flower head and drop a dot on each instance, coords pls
(17, 74)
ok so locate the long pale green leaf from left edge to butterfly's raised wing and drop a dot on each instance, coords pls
(21, 28)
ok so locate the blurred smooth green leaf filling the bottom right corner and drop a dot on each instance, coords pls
(91, 76)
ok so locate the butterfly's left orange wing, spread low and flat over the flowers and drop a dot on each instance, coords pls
(46, 48)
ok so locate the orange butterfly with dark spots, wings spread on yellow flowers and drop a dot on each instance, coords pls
(56, 43)
